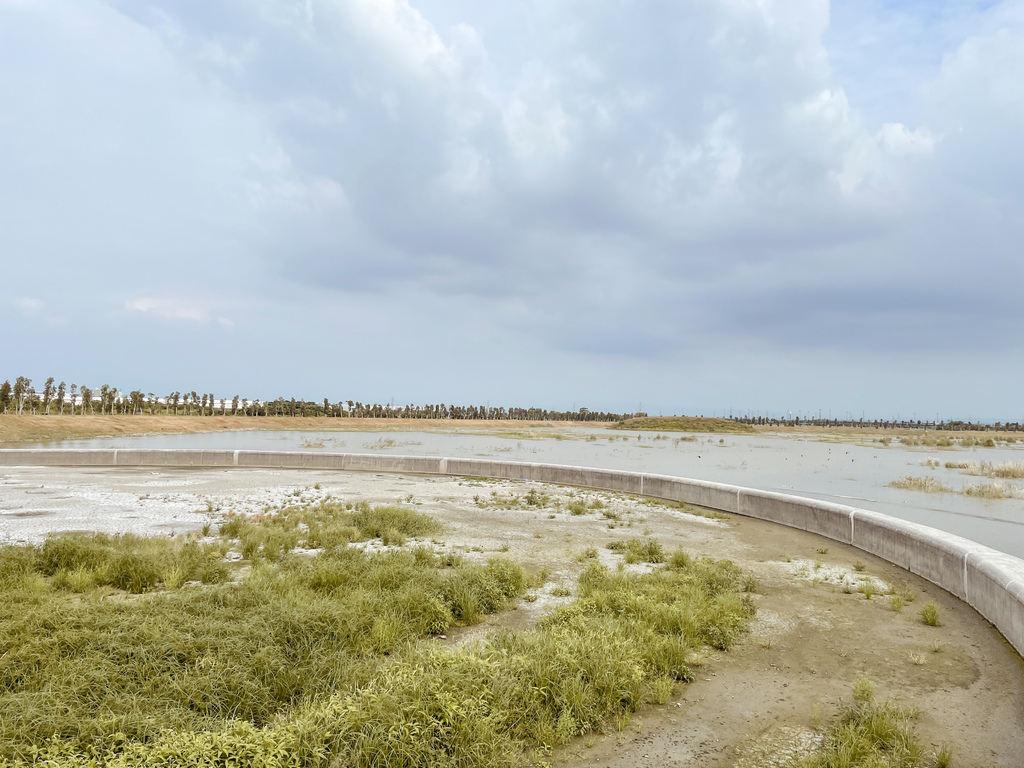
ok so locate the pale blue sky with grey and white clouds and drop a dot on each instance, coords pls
(747, 206)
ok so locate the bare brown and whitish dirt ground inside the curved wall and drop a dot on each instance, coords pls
(754, 707)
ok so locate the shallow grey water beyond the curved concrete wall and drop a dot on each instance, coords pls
(842, 473)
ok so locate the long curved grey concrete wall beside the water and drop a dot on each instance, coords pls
(990, 581)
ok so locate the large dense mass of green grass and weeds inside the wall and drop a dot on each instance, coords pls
(130, 652)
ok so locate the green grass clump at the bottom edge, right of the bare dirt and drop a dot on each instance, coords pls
(870, 735)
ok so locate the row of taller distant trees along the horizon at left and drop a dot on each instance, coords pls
(23, 398)
